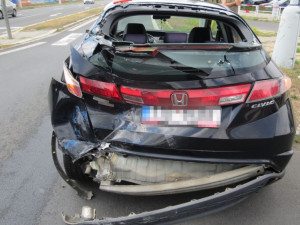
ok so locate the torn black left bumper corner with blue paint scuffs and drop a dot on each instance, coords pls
(70, 122)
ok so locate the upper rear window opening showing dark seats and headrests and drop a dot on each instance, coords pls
(142, 29)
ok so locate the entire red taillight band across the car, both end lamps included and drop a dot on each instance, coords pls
(219, 96)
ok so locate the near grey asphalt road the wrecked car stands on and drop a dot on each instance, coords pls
(33, 193)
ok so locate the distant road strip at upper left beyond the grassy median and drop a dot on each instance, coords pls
(31, 16)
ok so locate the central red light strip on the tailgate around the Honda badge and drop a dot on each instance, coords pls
(200, 97)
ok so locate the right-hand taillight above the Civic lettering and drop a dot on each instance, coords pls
(269, 88)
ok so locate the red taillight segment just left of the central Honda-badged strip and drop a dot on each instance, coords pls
(100, 88)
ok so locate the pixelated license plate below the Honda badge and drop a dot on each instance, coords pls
(201, 117)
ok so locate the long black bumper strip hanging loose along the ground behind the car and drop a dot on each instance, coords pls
(181, 212)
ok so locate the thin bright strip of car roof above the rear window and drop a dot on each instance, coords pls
(172, 2)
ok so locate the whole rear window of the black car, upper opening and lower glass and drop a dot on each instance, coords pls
(168, 47)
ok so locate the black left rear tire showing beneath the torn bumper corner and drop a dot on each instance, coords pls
(73, 170)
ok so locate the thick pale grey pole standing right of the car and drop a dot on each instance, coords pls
(287, 37)
